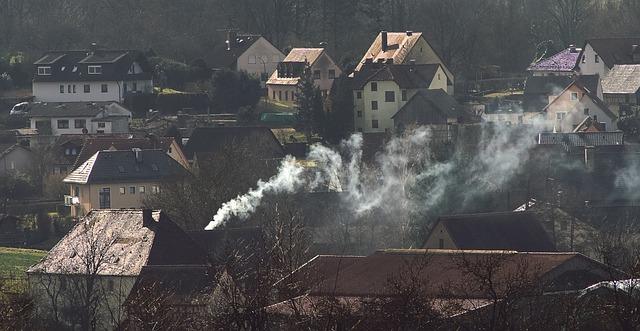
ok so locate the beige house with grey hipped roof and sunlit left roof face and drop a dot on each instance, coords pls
(119, 179)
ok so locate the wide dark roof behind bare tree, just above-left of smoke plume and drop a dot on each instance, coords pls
(255, 142)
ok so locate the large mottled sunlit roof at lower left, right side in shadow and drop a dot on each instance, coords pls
(130, 238)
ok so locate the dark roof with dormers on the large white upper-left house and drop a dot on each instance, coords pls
(72, 65)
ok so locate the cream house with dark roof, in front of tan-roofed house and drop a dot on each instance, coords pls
(380, 90)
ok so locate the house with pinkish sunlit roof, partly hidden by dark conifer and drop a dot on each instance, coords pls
(282, 85)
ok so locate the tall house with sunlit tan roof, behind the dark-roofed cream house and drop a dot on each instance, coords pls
(404, 48)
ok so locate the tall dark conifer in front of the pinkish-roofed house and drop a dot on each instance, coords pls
(311, 115)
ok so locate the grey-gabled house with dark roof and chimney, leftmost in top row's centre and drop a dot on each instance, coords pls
(247, 52)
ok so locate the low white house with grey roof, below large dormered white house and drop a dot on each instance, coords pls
(79, 117)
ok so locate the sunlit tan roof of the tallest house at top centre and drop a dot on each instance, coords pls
(401, 44)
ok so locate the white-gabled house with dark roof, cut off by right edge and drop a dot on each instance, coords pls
(598, 56)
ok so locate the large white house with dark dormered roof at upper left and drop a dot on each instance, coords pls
(92, 75)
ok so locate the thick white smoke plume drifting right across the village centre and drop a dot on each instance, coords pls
(418, 171)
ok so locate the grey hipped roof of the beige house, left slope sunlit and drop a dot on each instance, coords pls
(122, 166)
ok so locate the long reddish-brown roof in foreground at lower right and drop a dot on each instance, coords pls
(450, 270)
